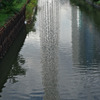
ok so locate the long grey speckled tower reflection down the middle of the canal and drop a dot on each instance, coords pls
(49, 19)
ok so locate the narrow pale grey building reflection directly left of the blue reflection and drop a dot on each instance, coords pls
(75, 35)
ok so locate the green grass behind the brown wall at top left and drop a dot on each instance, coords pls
(10, 10)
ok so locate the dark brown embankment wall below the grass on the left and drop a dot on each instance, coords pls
(10, 31)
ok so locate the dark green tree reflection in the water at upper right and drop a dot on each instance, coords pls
(88, 10)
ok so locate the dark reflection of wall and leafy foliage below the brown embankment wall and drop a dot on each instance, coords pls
(11, 65)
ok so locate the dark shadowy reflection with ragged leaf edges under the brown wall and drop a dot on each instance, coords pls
(10, 57)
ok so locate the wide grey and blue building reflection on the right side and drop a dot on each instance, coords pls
(85, 39)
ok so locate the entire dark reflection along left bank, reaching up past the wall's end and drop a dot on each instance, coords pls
(12, 56)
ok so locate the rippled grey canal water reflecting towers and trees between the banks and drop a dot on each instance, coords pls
(57, 57)
